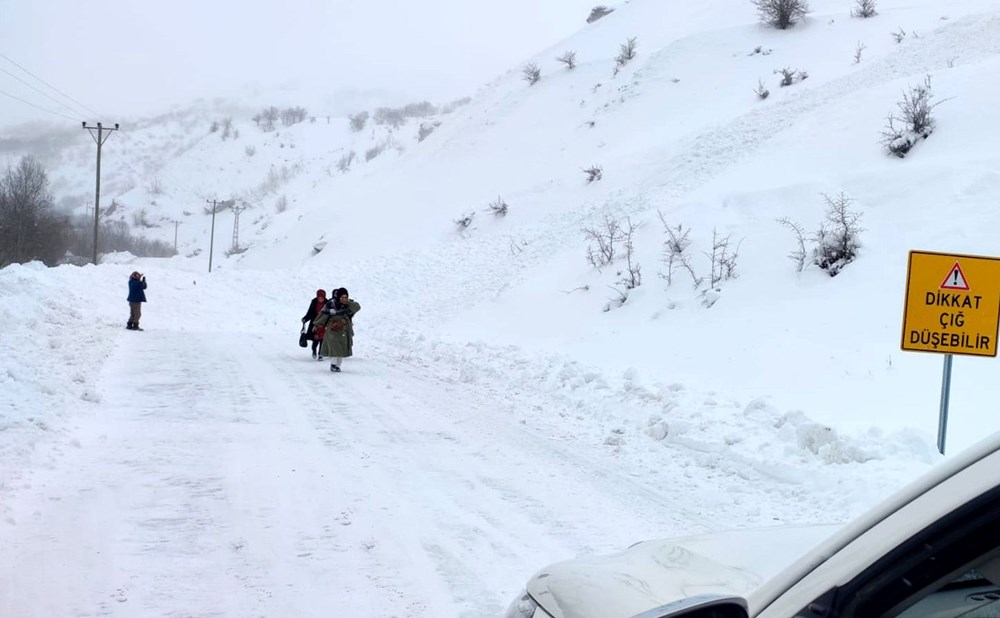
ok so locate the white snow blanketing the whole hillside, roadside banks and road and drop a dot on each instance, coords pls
(502, 412)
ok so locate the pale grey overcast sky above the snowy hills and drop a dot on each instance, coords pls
(123, 57)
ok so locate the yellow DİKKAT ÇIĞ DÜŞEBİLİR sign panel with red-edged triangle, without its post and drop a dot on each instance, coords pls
(952, 304)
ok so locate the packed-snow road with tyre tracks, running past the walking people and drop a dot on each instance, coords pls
(249, 482)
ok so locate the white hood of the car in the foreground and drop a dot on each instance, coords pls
(653, 573)
